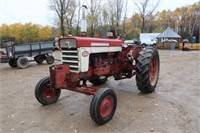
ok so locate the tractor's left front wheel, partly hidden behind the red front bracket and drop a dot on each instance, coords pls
(44, 93)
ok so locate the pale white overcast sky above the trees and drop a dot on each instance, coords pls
(38, 12)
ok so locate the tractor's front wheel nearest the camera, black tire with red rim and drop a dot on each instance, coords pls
(103, 106)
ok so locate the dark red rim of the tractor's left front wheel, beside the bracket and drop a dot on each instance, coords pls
(48, 93)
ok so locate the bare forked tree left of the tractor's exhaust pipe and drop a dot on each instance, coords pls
(60, 7)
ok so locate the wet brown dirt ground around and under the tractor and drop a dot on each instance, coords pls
(173, 108)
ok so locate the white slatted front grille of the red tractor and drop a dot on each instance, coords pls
(70, 56)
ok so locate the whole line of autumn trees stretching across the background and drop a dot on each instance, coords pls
(107, 15)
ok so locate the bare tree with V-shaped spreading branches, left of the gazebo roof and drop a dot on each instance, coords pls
(146, 9)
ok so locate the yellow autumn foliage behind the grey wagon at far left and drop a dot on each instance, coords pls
(26, 33)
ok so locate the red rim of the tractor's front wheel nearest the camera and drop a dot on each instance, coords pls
(106, 106)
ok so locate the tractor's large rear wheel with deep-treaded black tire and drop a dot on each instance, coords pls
(147, 69)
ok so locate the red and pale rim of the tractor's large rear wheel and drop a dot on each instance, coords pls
(153, 70)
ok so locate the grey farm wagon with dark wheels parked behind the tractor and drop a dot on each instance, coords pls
(19, 54)
